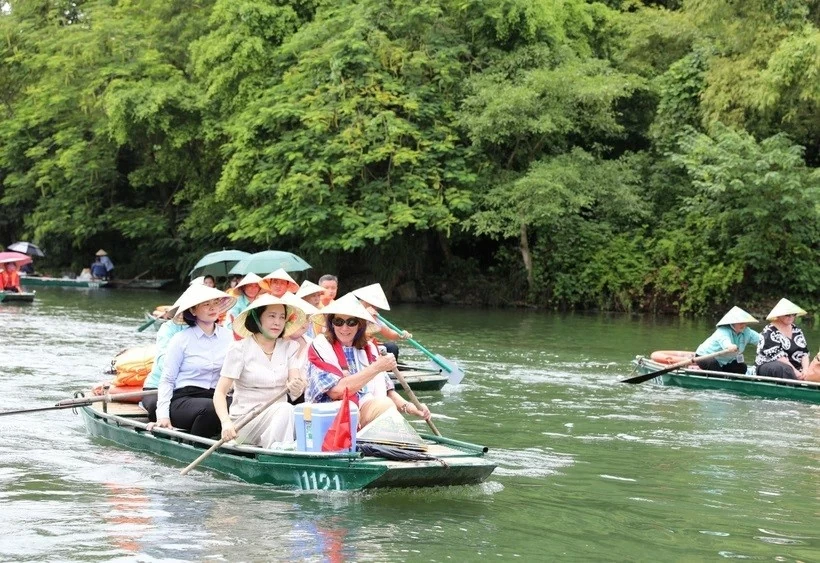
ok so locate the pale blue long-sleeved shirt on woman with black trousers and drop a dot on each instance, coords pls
(193, 359)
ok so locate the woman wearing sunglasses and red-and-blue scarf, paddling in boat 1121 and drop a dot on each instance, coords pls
(342, 359)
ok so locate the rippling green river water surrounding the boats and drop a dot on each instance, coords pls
(588, 468)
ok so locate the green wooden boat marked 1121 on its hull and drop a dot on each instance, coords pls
(458, 463)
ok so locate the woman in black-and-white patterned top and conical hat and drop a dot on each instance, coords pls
(782, 351)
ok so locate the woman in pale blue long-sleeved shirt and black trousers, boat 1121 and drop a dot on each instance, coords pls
(193, 361)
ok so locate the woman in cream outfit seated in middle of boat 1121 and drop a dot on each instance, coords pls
(262, 366)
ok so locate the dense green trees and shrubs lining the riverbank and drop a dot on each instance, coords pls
(624, 155)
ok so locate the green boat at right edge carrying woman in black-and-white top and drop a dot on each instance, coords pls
(754, 385)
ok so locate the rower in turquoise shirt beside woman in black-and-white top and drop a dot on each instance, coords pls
(732, 335)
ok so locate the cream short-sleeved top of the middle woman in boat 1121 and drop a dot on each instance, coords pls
(257, 378)
